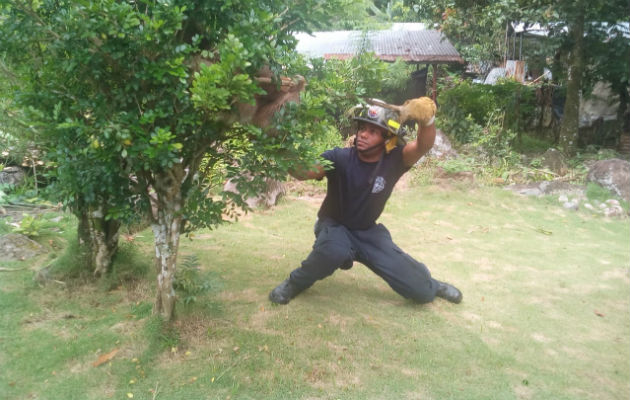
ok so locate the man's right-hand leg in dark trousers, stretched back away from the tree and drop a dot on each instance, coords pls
(408, 277)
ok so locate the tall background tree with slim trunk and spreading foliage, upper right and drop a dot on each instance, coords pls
(585, 35)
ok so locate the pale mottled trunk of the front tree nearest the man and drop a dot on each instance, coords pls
(166, 226)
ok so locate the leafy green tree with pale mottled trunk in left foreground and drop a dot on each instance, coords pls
(130, 98)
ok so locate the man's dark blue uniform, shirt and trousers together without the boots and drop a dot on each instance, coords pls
(346, 230)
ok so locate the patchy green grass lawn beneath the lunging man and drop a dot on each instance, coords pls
(544, 315)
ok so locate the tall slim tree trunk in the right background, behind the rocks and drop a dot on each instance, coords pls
(571, 118)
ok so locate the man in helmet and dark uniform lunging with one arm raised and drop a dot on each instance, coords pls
(360, 181)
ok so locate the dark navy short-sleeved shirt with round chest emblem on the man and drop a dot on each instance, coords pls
(358, 190)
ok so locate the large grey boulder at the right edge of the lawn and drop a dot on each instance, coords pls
(613, 174)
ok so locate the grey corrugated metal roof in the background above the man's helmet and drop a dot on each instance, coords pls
(416, 46)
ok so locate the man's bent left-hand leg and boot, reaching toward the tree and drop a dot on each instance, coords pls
(332, 250)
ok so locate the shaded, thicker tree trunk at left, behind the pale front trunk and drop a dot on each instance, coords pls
(98, 238)
